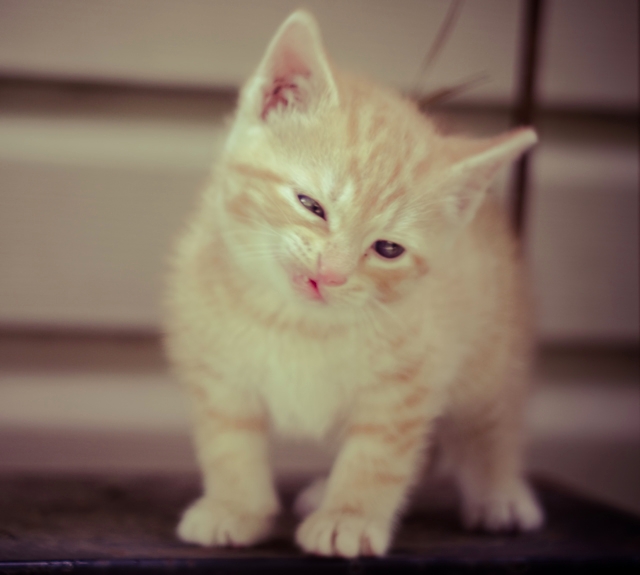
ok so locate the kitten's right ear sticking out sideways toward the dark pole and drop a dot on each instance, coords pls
(476, 163)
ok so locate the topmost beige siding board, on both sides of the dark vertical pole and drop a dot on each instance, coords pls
(591, 46)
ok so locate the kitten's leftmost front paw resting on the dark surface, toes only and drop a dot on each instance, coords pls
(210, 523)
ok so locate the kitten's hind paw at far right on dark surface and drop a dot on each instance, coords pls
(515, 508)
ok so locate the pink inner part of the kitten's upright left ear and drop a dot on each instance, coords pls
(284, 89)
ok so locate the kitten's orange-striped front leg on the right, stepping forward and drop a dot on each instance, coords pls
(376, 466)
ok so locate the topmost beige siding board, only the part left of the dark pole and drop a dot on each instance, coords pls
(218, 43)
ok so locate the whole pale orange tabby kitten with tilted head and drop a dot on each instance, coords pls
(348, 272)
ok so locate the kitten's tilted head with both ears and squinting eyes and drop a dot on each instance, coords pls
(337, 192)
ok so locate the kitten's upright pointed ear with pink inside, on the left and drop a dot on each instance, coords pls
(294, 73)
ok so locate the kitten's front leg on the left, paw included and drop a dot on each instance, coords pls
(239, 501)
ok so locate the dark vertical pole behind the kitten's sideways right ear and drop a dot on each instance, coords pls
(525, 104)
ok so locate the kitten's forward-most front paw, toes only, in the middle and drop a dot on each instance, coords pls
(343, 534)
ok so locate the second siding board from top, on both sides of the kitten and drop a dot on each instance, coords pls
(90, 199)
